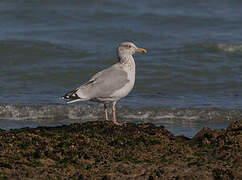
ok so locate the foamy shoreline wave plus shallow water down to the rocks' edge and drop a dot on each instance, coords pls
(186, 121)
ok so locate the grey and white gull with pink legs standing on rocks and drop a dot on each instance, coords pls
(111, 84)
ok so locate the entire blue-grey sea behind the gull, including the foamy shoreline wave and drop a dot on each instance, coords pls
(193, 63)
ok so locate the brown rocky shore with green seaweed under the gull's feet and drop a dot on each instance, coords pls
(101, 150)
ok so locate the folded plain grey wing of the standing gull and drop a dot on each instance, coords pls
(104, 83)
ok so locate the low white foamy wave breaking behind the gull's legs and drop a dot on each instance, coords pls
(94, 112)
